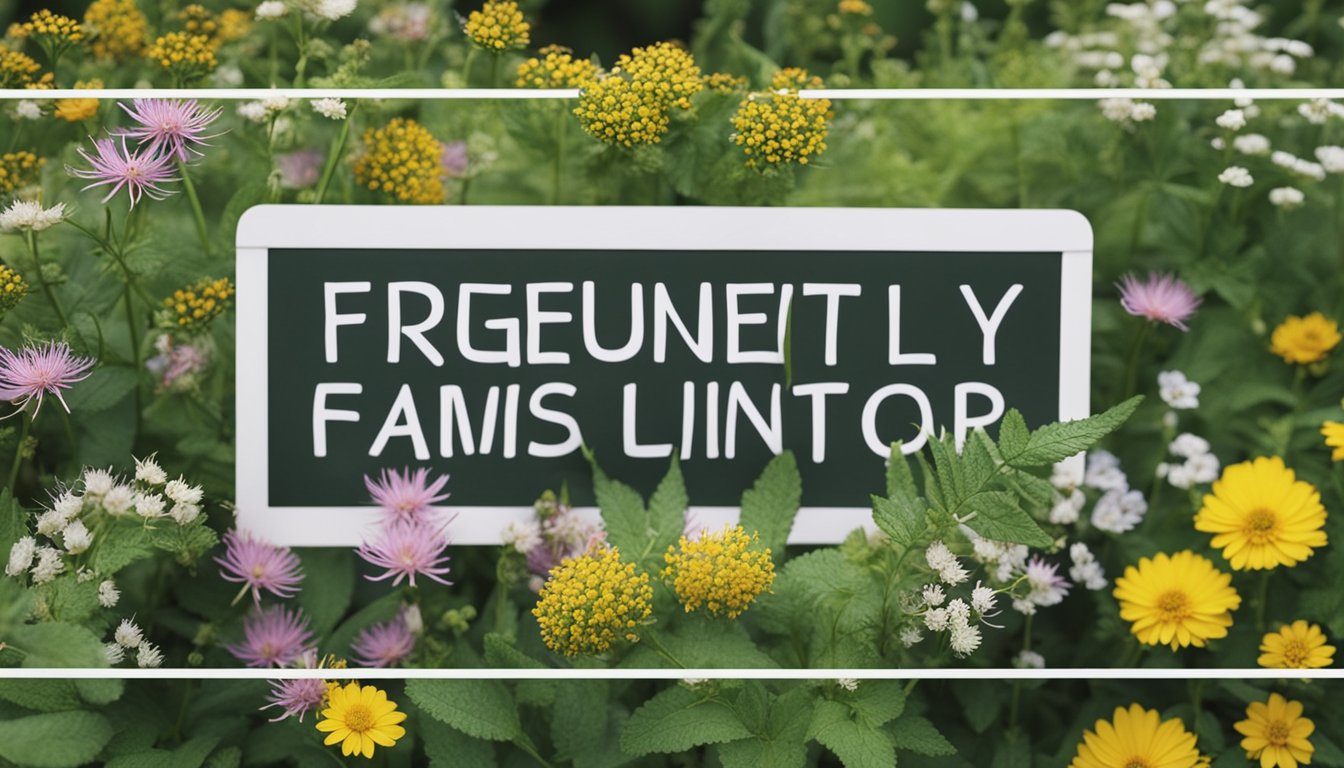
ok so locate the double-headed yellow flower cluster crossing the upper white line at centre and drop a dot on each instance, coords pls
(632, 106)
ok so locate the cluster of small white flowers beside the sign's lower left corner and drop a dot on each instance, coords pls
(65, 527)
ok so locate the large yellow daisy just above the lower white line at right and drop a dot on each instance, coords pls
(1177, 601)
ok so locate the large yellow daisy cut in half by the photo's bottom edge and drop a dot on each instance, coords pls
(1138, 738)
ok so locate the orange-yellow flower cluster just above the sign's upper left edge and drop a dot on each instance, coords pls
(404, 162)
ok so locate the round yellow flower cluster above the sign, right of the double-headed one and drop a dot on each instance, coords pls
(782, 128)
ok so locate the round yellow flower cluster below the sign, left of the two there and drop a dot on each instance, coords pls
(592, 602)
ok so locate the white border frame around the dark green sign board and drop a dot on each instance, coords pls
(294, 227)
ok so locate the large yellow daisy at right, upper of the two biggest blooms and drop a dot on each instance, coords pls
(1263, 516)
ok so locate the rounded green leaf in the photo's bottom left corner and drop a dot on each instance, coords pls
(54, 740)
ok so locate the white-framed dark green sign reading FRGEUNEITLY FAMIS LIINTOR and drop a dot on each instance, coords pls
(491, 344)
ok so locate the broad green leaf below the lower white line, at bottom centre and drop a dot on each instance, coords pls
(677, 720)
